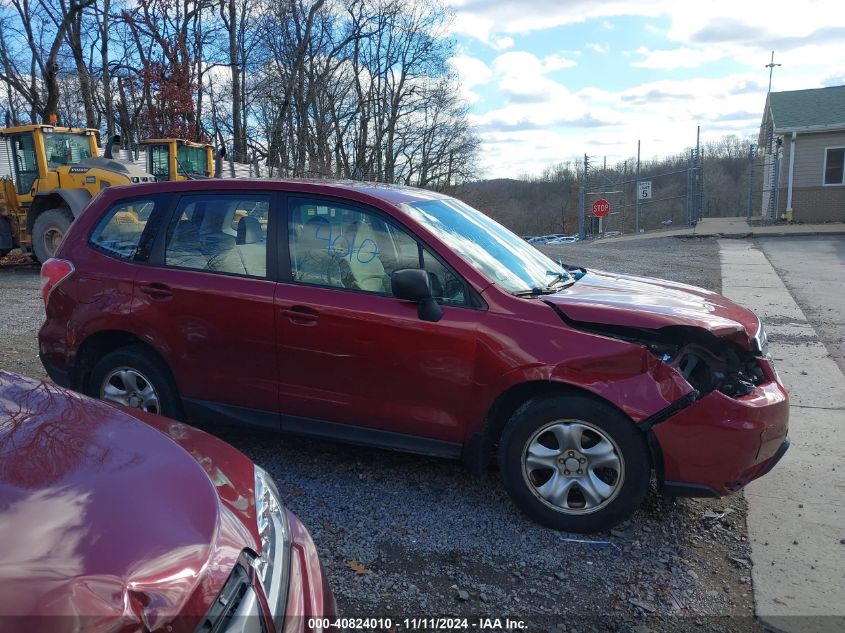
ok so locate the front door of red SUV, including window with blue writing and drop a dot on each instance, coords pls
(354, 360)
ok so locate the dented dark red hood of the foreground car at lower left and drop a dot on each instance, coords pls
(102, 517)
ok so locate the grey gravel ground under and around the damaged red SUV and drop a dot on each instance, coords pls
(410, 536)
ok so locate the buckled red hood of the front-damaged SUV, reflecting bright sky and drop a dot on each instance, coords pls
(641, 302)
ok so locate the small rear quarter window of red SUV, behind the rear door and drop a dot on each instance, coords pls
(120, 231)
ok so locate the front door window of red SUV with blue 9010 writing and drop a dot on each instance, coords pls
(343, 247)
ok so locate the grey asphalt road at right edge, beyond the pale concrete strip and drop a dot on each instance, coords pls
(813, 268)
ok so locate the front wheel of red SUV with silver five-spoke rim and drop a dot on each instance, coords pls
(587, 419)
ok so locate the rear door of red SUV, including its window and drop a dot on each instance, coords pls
(206, 303)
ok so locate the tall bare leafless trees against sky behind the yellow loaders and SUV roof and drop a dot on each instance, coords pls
(337, 88)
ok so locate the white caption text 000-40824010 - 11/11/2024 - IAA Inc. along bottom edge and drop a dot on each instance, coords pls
(419, 624)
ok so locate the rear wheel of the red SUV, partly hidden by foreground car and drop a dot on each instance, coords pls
(136, 378)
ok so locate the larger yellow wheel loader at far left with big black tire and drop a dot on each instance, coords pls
(47, 176)
